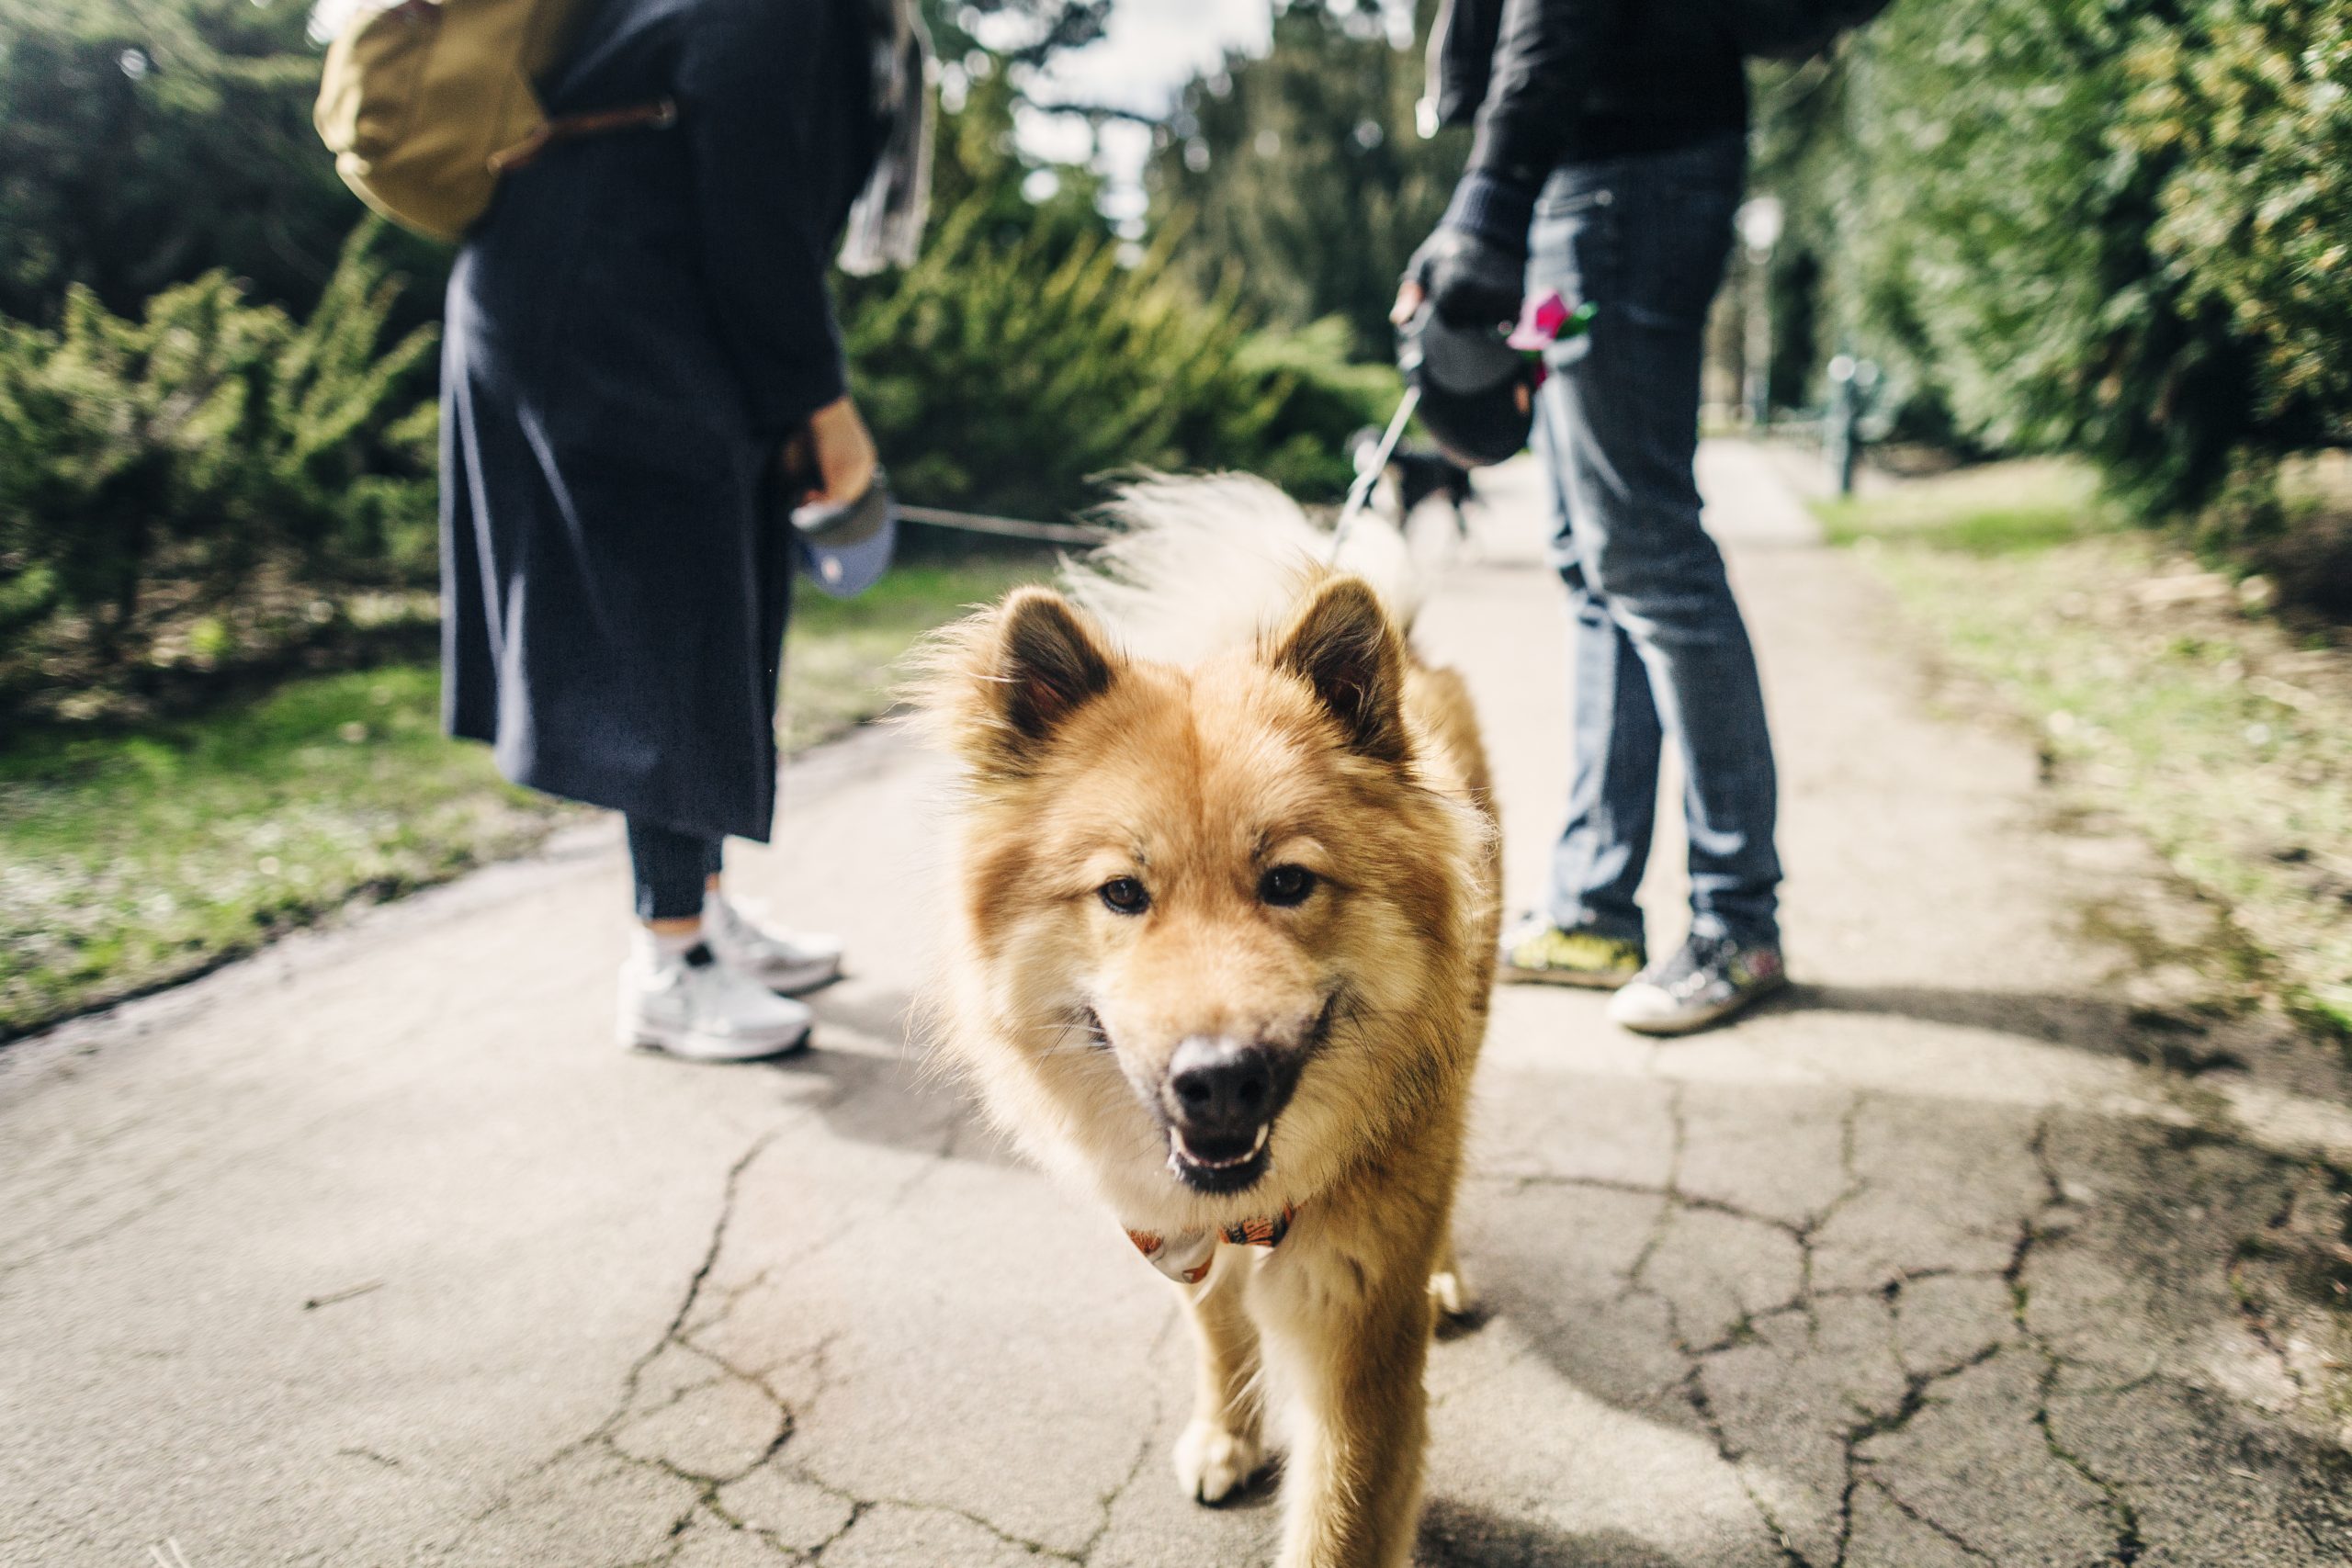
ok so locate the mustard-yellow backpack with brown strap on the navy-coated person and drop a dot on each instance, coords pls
(429, 102)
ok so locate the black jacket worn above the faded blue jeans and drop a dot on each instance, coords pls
(1553, 81)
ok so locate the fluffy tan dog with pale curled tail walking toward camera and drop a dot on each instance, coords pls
(1229, 913)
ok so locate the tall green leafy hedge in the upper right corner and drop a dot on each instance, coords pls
(2104, 227)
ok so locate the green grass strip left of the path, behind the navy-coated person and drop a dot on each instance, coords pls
(138, 859)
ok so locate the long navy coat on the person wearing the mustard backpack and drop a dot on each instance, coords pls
(632, 335)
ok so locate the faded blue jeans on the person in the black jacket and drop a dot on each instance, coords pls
(1659, 641)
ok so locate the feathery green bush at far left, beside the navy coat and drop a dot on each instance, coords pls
(156, 469)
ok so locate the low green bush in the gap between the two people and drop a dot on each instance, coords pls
(1041, 347)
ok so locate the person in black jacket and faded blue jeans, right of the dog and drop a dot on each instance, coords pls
(1608, 166)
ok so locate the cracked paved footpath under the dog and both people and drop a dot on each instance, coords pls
(375, 1252)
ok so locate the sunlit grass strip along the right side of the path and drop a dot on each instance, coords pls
(2203, 725)
